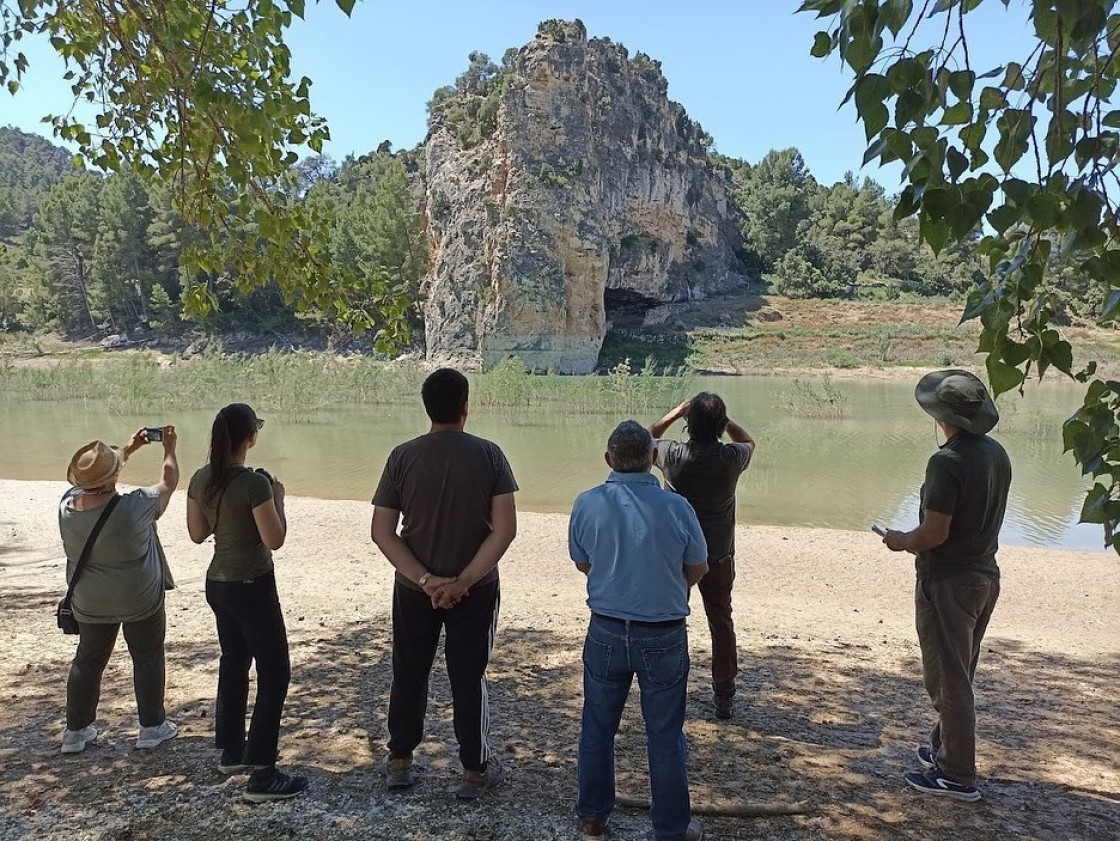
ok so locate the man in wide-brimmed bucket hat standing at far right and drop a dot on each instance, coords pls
(964, 500)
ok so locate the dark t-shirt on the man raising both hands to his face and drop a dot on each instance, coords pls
(707, 475)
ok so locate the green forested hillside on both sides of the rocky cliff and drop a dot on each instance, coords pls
(86, 255)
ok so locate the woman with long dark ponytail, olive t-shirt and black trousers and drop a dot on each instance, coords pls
(244, 510)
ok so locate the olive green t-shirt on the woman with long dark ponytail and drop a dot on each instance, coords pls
(239, 554)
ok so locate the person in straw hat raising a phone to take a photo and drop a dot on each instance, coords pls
(120, 585)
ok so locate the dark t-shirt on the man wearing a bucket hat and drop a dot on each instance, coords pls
(969, 479)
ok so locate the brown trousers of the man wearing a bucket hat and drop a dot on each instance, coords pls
(953, 615)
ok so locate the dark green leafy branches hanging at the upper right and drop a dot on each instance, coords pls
(966, 138)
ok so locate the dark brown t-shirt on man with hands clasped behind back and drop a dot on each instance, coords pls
(443, 484)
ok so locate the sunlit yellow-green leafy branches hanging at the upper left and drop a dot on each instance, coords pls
(198, 97)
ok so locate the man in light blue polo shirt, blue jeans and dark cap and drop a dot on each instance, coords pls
(641, 549)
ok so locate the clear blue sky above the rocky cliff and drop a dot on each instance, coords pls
(741, 68)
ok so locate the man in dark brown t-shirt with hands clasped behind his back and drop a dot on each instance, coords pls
(455, 494)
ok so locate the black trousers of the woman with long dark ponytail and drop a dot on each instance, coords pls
(250, 628)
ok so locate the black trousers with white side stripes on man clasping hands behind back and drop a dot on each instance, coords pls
(417, 627)
